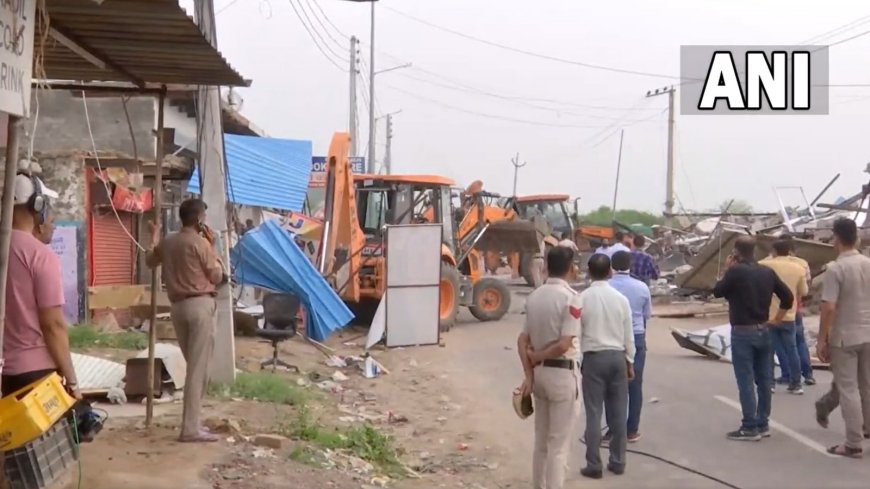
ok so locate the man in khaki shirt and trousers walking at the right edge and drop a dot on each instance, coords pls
(844, 336)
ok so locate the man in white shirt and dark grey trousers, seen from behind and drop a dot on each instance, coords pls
(607, 339)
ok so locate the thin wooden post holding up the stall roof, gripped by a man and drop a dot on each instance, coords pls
(155, 272)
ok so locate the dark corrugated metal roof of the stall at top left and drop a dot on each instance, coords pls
(138, 40)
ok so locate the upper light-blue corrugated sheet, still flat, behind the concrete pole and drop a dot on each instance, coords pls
(265, 172)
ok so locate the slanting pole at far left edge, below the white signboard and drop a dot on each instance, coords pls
(12, 130)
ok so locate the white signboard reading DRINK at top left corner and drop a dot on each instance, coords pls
(17, 30)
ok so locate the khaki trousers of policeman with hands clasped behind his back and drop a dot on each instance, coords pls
(557, 406)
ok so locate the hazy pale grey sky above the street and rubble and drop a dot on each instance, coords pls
(297, 93)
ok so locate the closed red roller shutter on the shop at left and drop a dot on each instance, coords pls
(112, 249)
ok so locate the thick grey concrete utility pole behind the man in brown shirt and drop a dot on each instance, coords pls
(212, 168)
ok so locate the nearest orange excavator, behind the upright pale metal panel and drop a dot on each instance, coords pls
(359, 207)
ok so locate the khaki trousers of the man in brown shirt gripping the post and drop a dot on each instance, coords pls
(194, 322)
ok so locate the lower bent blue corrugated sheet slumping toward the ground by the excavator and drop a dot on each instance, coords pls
(268, 257)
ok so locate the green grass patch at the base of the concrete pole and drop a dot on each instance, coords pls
(264, 387)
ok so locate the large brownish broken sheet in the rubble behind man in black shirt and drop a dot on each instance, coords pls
(709, 263)
